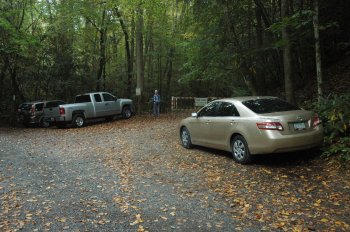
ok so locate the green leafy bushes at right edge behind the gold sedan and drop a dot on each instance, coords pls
(335, 114)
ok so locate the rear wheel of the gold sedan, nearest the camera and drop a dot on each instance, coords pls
(240, 151)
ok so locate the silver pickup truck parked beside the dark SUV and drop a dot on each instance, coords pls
(91, 106)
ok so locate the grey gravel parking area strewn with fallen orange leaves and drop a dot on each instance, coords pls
(134, 175)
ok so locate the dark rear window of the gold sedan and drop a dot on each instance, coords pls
(269, 105)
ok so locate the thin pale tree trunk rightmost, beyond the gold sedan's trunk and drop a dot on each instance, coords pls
(318, 52)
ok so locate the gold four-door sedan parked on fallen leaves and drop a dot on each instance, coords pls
(248, 126)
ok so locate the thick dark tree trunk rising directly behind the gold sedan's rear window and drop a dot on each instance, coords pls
(287, 56)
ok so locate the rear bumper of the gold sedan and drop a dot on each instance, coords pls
(272, 143)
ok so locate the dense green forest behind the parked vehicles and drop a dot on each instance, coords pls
(56, 49)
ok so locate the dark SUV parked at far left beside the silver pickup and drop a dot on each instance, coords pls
(34, 113)
